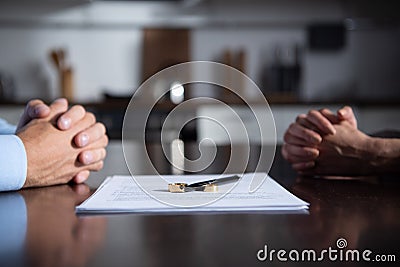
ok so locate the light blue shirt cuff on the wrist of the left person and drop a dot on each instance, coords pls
(13, 163)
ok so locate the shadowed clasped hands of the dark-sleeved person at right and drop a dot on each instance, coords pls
(324, 143)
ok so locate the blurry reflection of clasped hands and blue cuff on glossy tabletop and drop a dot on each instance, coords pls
(55, 236)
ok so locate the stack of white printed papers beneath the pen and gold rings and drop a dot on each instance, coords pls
(122, 194)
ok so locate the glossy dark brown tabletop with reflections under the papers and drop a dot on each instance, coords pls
(363, 211)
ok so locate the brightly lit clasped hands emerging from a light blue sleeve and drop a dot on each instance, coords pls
(62, 145)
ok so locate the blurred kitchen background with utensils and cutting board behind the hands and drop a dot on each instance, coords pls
(301, 53)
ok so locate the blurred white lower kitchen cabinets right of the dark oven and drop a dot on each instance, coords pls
(370, 120)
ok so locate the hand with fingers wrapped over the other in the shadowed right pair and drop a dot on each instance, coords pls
(303, 138)
